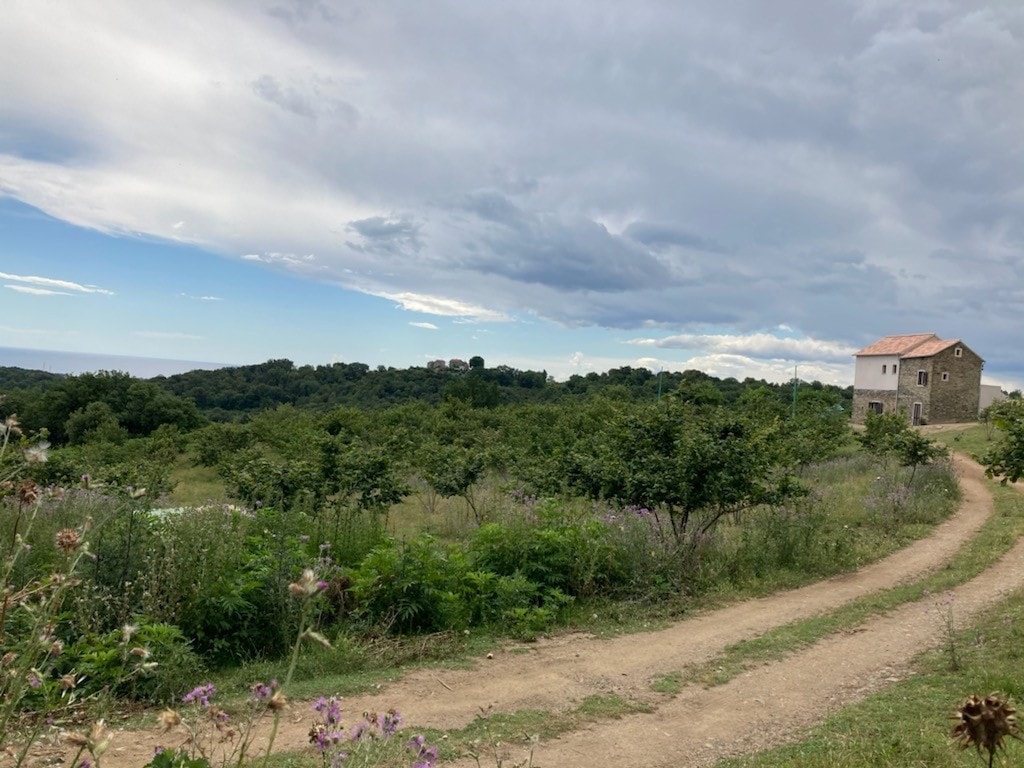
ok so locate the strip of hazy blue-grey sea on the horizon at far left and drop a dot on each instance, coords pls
(72, 364)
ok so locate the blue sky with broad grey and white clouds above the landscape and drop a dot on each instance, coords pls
(735, 186)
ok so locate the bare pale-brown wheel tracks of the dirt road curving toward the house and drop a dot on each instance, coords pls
(696, 728)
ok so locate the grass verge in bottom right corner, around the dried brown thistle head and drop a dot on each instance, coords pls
(910, 723)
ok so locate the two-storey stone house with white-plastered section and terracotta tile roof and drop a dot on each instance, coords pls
(928, 379)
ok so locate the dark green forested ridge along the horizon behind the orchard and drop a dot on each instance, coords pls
(111, 401)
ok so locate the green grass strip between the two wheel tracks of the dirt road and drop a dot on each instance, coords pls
(996, 537)
